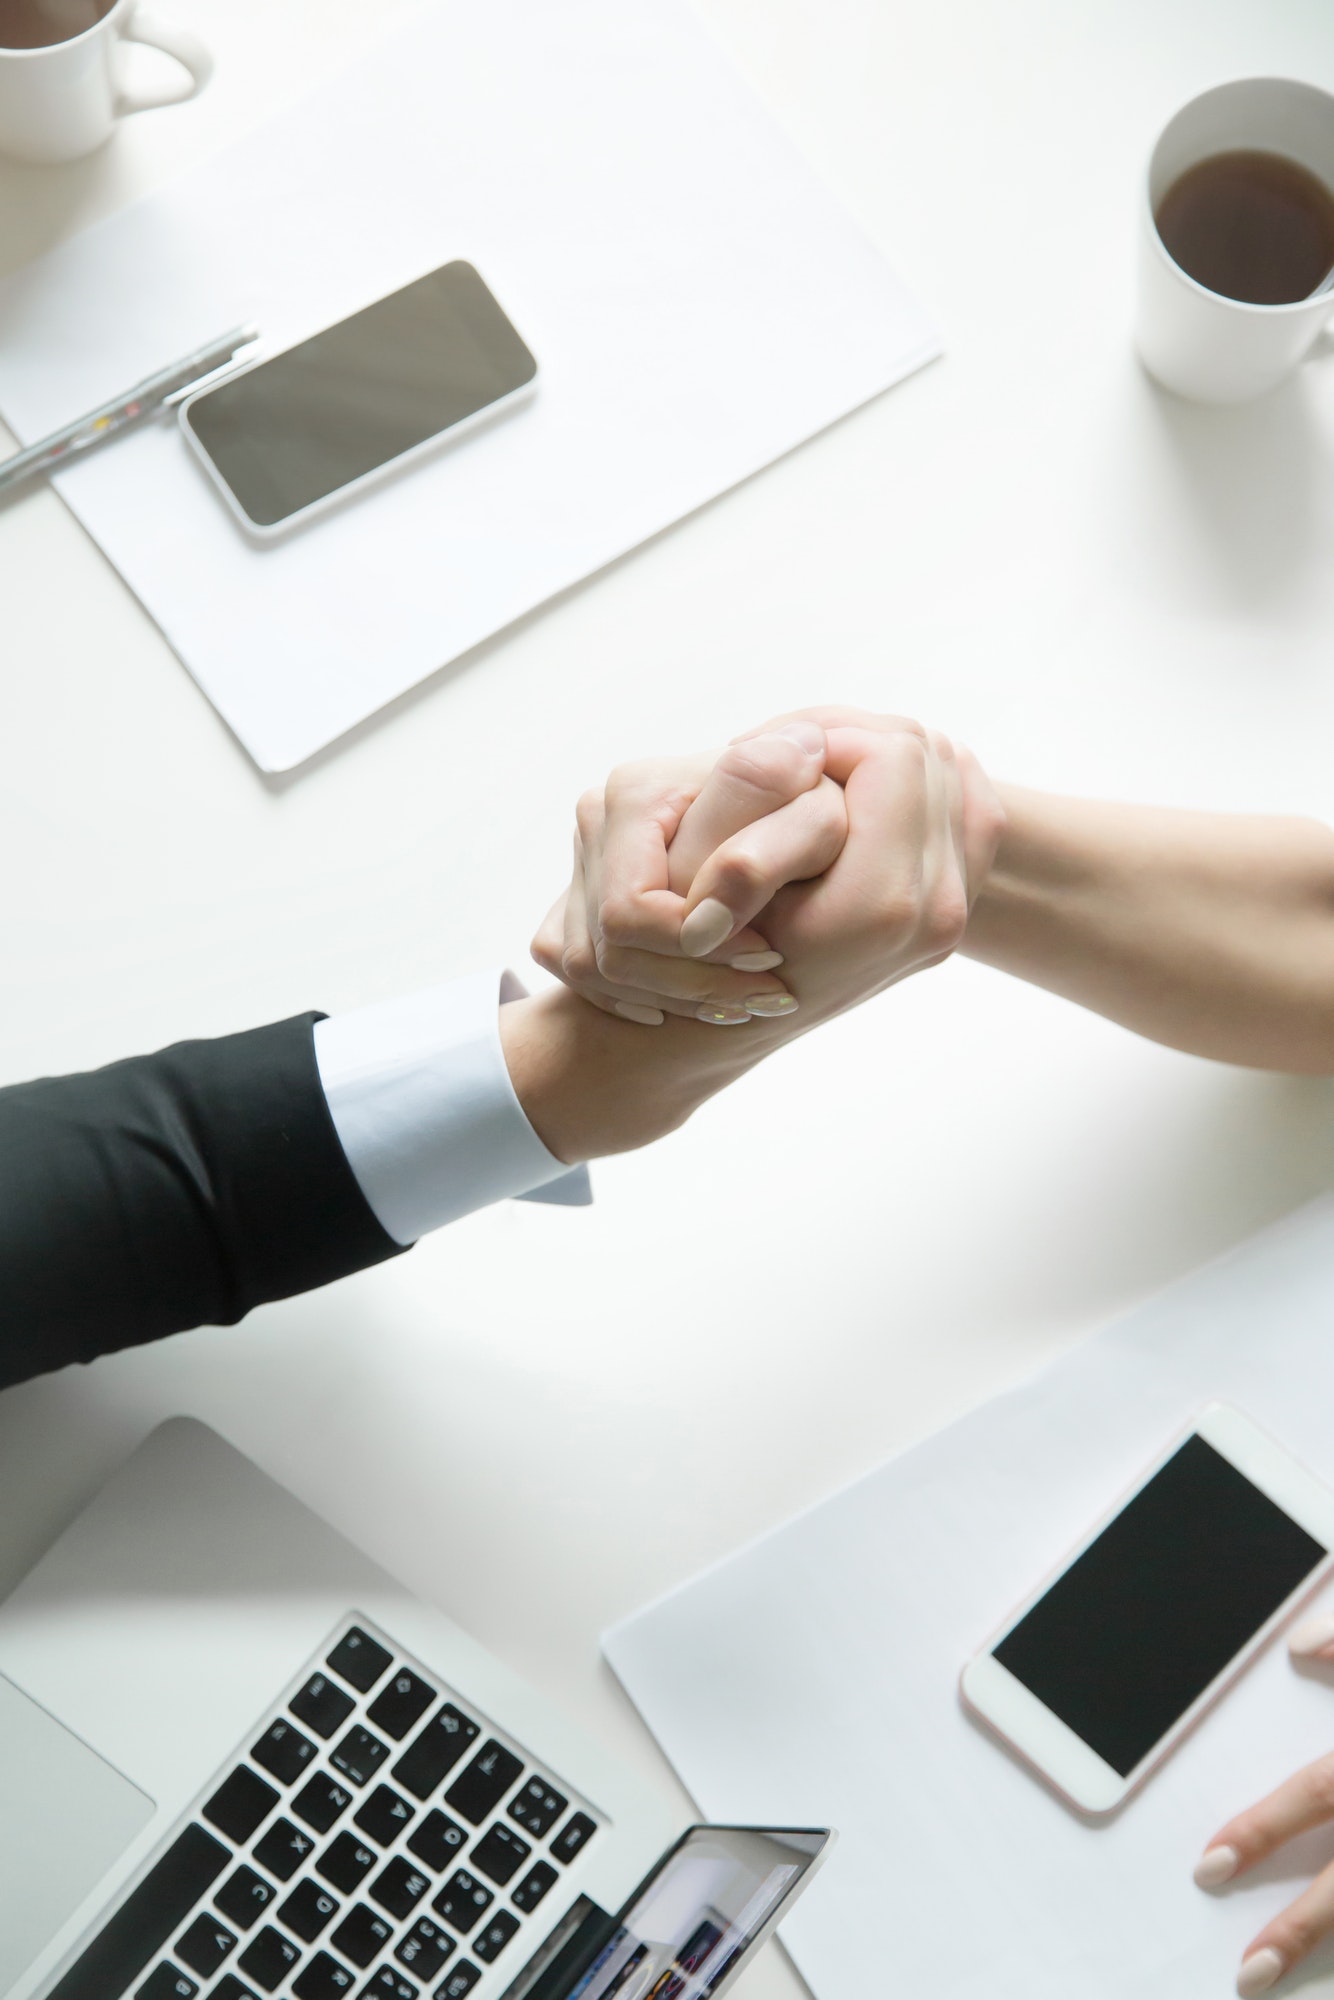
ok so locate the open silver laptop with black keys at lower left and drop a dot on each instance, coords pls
(241, 1763)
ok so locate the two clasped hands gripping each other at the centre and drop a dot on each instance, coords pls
(671, 873)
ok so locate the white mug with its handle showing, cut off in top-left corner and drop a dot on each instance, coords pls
(63, 99)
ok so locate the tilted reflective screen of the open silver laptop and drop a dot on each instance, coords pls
(691, 1927)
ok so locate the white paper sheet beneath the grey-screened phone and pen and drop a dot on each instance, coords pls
(697, 303)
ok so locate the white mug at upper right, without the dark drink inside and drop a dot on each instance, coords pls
(1195, 341)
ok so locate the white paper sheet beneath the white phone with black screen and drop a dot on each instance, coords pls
(813, 1677)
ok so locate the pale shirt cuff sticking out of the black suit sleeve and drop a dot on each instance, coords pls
(425, 1109)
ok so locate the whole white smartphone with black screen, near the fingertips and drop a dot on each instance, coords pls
(1111, 1661)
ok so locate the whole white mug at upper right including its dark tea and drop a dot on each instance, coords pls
(1237, 239)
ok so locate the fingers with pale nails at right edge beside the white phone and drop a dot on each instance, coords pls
(1297, 1807)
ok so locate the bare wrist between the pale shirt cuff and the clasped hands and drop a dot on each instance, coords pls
(593, 1085)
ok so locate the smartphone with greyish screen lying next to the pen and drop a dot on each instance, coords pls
(291, 435)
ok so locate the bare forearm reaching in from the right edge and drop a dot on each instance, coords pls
(1211, 933)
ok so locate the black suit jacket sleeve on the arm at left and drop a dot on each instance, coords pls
(171, 1191)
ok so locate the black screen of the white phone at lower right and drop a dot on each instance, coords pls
(1151, 1613)
